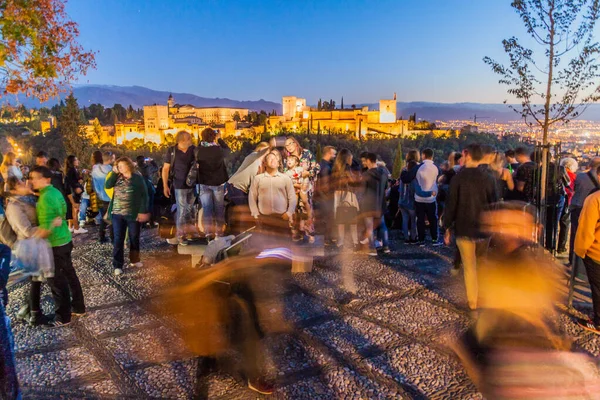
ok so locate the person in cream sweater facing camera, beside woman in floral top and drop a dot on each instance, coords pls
(272, 198)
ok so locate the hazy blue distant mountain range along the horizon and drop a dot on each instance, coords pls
(139, 96)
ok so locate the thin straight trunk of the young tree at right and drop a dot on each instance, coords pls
(545, 126)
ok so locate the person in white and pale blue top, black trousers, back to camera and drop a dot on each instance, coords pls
(426, 207)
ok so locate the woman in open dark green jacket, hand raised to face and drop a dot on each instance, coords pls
(128, 209)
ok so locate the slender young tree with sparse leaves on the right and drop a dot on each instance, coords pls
(551, 87)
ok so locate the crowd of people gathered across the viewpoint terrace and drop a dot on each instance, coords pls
(282, 187)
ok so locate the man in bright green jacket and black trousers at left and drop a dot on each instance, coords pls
(51, 206)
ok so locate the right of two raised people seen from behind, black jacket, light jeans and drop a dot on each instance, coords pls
(212, 176)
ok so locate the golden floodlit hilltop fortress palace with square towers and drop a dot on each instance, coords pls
(162, 120)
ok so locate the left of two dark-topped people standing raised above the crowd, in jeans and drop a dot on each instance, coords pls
(178, 162)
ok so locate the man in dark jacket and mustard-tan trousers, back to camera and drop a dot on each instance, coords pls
(472, 190)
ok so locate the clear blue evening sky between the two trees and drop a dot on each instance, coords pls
(363, 50)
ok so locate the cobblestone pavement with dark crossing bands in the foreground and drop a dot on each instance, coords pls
(388, 344)
